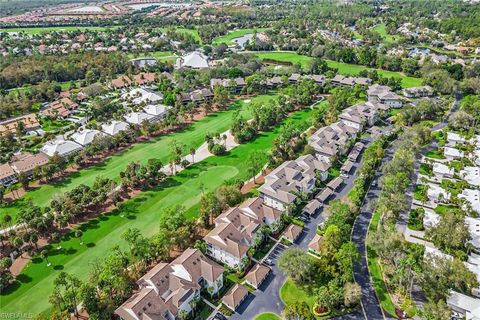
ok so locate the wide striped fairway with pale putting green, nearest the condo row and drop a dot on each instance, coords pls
(142, 212)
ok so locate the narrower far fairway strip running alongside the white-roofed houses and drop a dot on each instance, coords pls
(192, 137)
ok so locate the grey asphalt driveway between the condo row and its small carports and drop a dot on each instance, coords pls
(267, 298)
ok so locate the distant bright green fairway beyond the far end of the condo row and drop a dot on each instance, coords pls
(343, 68)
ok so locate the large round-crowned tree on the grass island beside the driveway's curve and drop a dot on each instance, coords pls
(297, 264)
